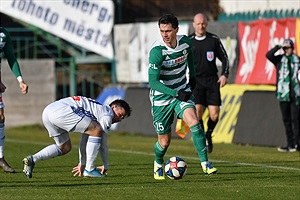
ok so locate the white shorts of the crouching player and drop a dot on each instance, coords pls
(59, 118)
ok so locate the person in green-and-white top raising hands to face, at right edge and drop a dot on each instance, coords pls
(288, 91)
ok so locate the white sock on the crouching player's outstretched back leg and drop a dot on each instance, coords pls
(50, 151)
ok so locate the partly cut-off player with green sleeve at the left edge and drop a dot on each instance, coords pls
(6, 47)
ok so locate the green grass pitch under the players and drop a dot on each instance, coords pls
(245, 172)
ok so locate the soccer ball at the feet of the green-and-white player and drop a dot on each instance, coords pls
(175, 168)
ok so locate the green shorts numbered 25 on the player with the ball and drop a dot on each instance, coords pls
(163, 116)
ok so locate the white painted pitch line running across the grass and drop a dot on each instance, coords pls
(152, 154)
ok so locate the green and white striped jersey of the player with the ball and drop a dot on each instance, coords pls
(168, 68)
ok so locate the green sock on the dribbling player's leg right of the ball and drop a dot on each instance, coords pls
(199, 142)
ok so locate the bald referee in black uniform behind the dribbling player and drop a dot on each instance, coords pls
(207, 47)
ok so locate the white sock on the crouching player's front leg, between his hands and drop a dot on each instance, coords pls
(92, 150)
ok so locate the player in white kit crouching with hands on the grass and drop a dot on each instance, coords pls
(83, 115)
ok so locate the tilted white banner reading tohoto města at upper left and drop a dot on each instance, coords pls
(82, 22)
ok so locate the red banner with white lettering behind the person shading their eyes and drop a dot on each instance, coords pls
(256, 39)
